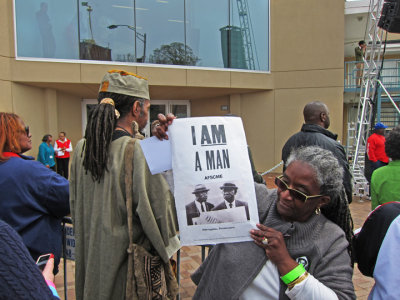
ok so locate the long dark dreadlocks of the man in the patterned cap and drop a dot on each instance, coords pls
(99, 131)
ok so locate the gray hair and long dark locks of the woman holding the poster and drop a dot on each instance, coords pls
(329, 175)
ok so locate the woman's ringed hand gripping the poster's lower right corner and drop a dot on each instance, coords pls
(275, 248)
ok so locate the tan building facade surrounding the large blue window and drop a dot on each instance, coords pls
(306, 46)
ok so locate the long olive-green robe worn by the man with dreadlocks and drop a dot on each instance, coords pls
(100, 221)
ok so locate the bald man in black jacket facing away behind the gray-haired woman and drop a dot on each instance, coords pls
(315, 132)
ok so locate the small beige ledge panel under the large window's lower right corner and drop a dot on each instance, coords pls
(252, 80)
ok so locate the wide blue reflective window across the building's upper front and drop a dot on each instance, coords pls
(199, 33)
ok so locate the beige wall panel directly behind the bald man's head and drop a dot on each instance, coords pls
(289, 104)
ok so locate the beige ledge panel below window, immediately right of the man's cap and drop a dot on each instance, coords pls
(163, 76)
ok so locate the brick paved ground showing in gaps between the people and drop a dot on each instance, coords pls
(191, 259)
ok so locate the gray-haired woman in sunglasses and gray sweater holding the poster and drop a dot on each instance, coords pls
(302, 249)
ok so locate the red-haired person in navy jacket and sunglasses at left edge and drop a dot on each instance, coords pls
(33, 198)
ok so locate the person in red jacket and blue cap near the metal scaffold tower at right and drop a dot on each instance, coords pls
(376, 147)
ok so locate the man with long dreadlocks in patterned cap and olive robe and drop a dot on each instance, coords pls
(124, 217)
